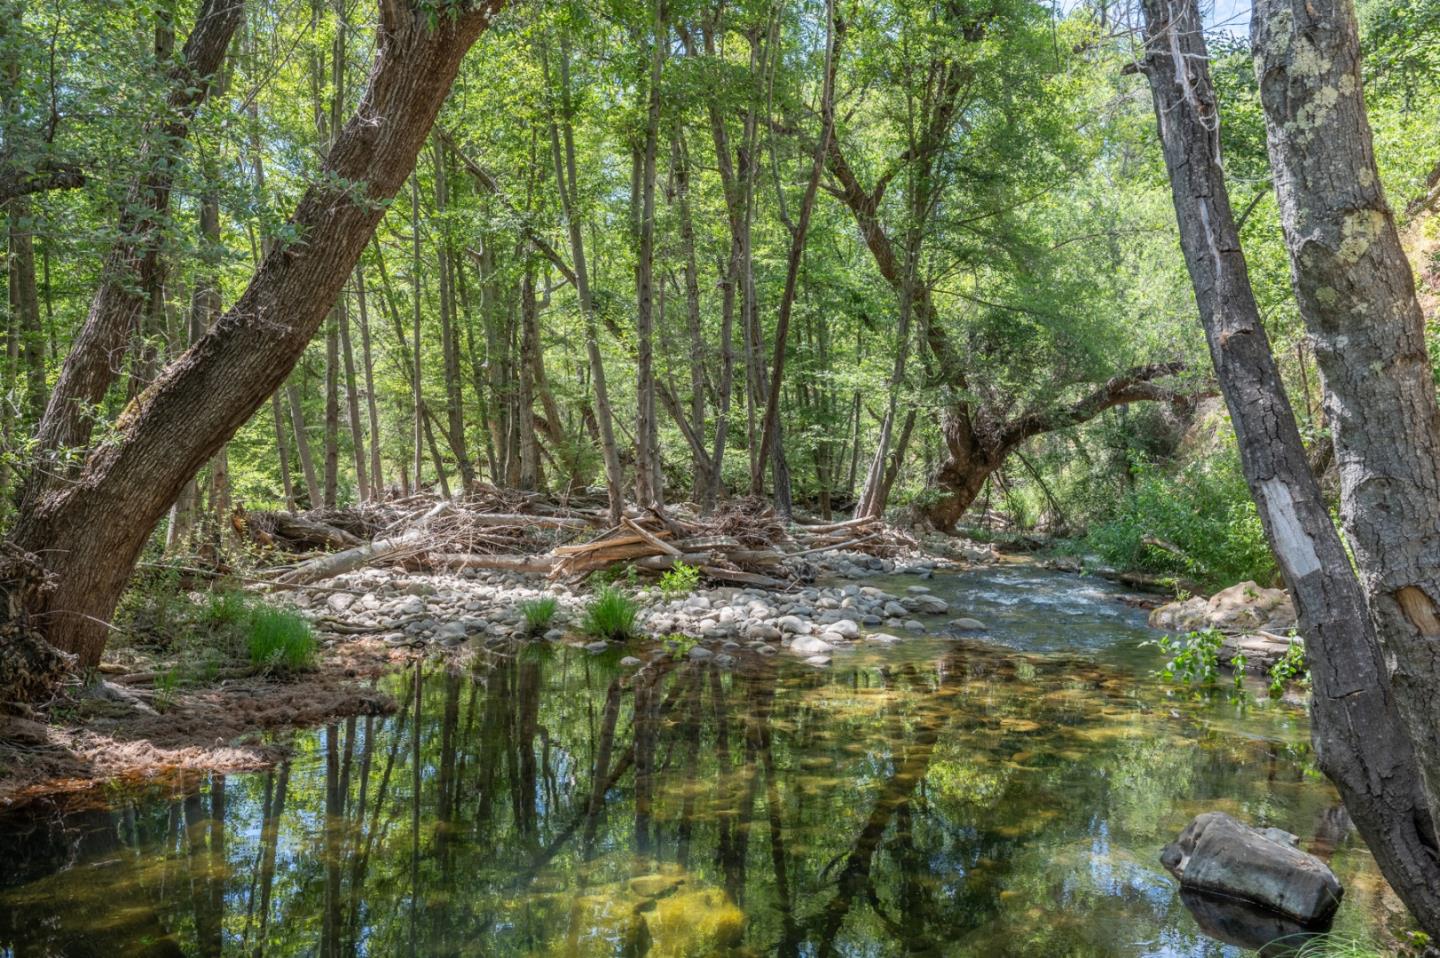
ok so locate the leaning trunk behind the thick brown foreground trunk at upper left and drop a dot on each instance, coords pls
(93, 362)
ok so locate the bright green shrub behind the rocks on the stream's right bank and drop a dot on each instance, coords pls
(1199, 524)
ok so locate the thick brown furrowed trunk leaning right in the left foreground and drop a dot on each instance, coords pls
(91, 531)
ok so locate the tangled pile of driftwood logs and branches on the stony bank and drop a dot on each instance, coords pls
(747, 542)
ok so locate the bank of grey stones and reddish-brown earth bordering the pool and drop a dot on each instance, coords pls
(140, 724)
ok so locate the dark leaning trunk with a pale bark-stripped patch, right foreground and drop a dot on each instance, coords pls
(1357, 731)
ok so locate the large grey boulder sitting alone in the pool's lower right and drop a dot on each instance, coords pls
(1223, 856)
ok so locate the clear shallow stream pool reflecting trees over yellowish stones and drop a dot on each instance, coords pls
(928, 799)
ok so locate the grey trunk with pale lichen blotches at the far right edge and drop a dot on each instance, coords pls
(1357, 296)
